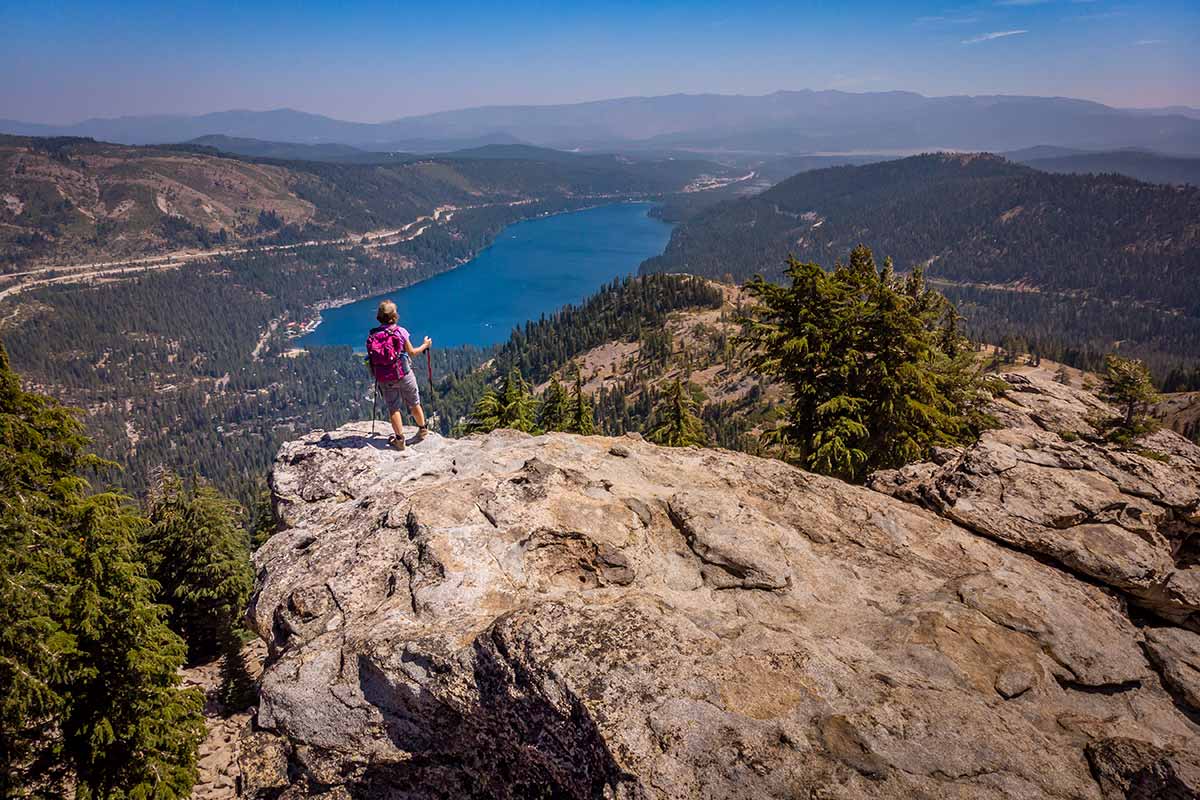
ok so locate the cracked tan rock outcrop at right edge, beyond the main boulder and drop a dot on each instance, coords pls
(1043, 484)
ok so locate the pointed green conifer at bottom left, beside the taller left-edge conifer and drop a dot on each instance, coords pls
(129, 731)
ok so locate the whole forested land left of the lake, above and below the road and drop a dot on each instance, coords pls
(182, 364)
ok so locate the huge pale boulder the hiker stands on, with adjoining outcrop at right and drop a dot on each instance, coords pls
(515, 617)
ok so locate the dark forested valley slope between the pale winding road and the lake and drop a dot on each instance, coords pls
(185, 369)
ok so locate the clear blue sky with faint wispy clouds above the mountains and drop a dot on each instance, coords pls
(371, 62)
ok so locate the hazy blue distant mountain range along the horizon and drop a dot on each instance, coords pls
(778, 124)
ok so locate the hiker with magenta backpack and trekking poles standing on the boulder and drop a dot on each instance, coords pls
(391, 356)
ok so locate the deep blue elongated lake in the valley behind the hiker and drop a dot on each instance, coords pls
(535, 268)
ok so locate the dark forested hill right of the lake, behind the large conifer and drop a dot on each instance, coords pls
(1084, 261)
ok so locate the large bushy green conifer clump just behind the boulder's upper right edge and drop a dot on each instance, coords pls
(877, 370)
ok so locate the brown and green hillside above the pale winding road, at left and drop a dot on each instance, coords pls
(71, 201)
